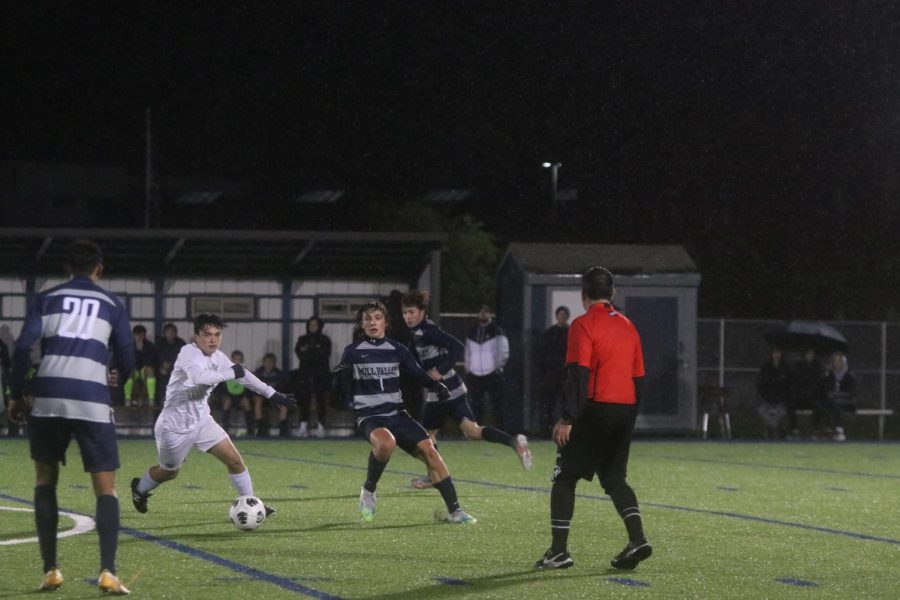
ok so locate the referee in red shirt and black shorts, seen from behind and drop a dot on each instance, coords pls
(604, 373)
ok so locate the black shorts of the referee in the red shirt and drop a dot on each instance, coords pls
(599, 443)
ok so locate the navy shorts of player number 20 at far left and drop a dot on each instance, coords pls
(50, 436)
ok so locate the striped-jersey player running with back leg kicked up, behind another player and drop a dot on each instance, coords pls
(438, 352)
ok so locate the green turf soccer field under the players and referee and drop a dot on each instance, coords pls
(727, 520)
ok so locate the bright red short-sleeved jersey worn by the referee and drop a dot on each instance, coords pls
(606, 342)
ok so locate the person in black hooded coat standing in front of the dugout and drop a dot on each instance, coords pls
(313, 350)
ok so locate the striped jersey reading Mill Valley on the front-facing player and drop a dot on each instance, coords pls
(374, 367)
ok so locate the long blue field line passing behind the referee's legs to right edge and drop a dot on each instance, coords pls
(546, 490)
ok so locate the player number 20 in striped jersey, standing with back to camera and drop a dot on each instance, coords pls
(78, 323)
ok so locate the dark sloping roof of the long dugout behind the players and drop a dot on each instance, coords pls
(174, 252)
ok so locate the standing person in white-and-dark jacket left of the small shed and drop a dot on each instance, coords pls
(487, 352)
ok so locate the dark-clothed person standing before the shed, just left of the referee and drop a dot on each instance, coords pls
(552, 353)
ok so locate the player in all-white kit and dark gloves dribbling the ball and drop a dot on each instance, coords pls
(185, 420)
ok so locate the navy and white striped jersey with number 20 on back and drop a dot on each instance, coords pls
(77, 323)
